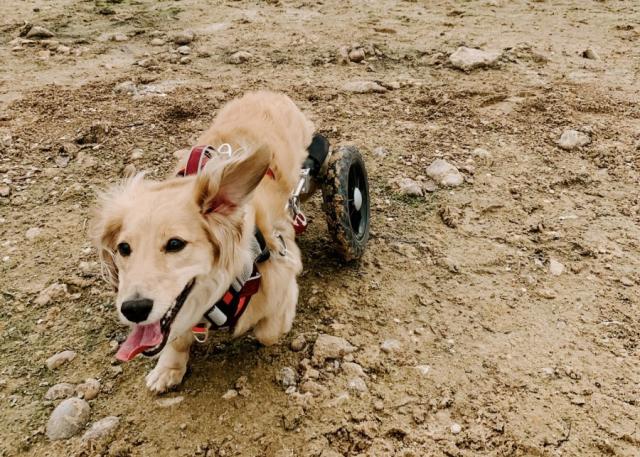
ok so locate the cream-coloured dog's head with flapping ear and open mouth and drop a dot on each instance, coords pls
(168, 247)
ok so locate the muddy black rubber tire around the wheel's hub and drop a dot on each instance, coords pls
(335, 187)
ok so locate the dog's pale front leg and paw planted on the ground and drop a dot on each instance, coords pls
(171, 365)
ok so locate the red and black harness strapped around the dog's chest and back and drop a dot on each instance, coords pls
(226, 311)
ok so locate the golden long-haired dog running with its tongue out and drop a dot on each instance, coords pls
(171, 248)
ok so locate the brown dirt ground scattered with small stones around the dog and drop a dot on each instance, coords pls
(458, 282)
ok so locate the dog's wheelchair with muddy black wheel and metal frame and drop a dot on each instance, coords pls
(342, 177)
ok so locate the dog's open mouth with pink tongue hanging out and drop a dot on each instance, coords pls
(150, 339)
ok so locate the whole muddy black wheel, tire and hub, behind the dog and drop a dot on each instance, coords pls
(345, 194)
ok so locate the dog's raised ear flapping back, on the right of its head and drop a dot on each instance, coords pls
(229, 185)
